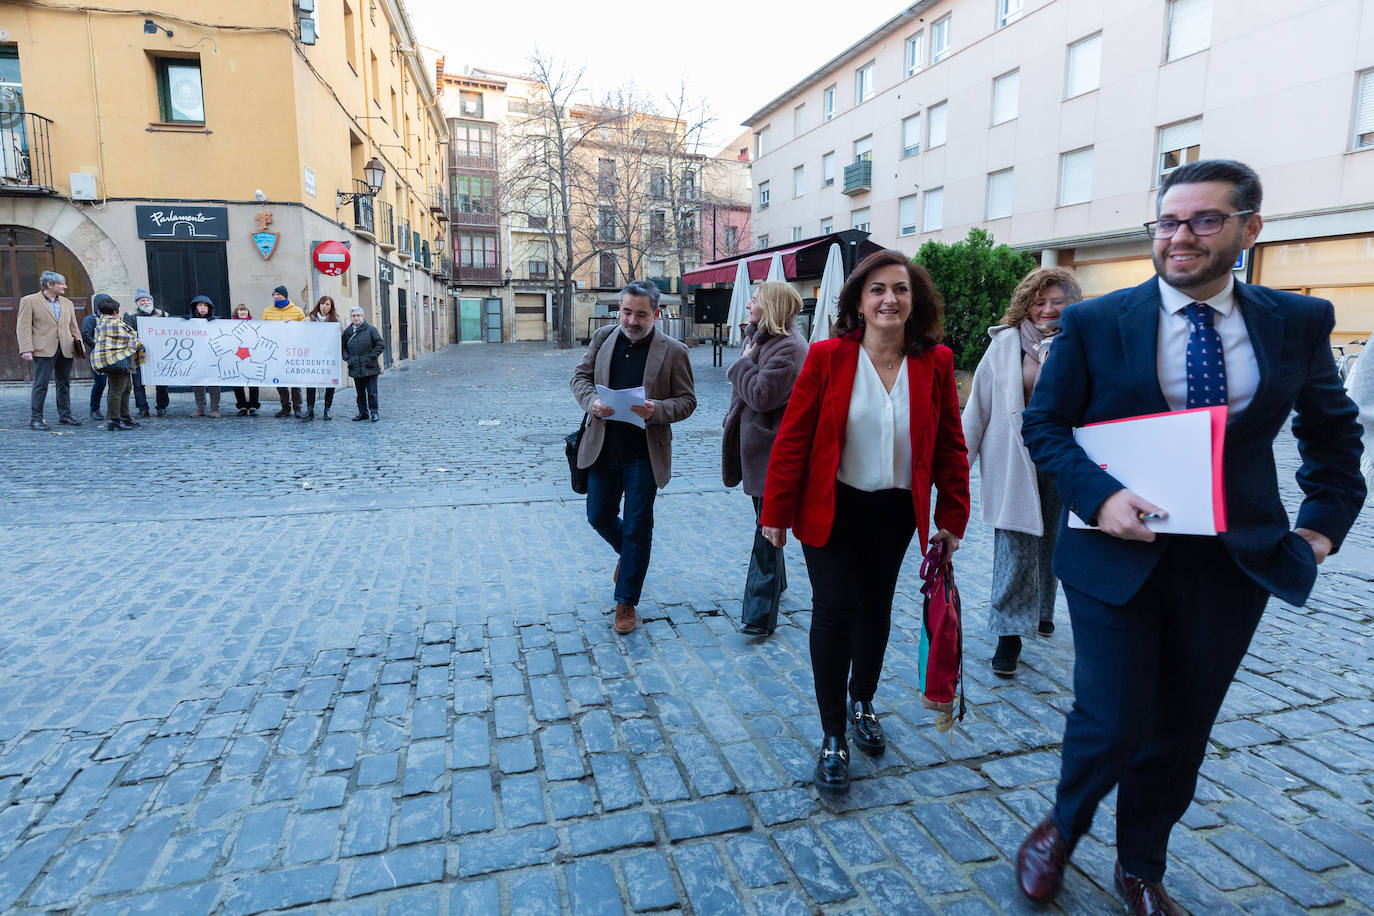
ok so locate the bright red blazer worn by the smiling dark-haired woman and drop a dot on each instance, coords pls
(800, 491)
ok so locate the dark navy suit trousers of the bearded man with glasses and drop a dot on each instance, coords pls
(1149, 679)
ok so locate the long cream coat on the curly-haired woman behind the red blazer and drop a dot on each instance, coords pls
(993, 432)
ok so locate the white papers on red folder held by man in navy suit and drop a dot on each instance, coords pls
(1164, 459)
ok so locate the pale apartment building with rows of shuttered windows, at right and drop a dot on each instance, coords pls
(1052, 122)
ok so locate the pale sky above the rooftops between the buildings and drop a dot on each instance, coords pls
(739, 56)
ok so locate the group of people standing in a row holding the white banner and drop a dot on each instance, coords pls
(109, 340)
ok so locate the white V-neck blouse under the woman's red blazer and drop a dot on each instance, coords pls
(877, 454)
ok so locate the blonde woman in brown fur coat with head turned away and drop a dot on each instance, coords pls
(761, 384)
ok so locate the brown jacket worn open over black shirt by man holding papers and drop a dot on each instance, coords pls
(668, 384)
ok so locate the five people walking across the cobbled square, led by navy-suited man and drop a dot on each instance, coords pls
(846, 440)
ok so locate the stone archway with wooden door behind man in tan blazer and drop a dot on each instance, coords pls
(45, 234)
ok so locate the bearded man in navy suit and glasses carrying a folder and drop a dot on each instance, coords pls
(1162, 623)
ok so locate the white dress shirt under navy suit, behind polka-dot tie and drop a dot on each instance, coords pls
(1243, 373)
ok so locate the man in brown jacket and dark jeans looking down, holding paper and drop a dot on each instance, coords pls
(626, 458)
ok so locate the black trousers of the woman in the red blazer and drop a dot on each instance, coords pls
(853, 582)
